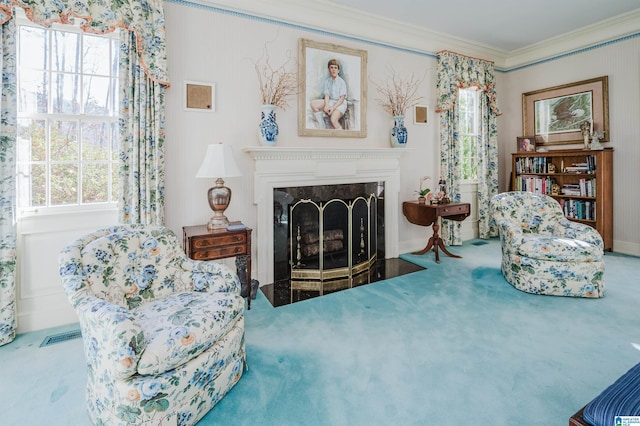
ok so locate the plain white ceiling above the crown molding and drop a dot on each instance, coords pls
(506, 25)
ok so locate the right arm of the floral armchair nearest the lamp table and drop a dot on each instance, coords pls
(211, 276)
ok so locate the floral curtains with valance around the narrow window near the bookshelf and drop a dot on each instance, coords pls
(455, 72)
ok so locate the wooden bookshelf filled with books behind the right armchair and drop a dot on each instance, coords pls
(580, 180)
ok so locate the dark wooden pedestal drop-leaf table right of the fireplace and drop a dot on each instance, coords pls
(427, 214)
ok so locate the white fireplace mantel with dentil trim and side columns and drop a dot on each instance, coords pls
(277, 167)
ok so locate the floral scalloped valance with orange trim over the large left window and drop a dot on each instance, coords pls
(144, 18)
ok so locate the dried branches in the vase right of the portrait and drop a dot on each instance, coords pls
(398, 94)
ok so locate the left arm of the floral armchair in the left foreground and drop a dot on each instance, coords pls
(114, 341)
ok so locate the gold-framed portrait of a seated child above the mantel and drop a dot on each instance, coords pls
(333, 95)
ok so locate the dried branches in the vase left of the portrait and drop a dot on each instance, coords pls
(276, 84)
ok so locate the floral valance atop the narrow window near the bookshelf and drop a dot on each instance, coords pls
(457, 71)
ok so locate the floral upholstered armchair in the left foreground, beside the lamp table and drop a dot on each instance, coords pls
(163, 334)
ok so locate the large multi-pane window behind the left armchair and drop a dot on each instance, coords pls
(67, 146)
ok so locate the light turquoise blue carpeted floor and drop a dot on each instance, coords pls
(453, 344)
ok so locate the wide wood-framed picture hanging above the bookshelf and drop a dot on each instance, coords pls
(554, 115)
